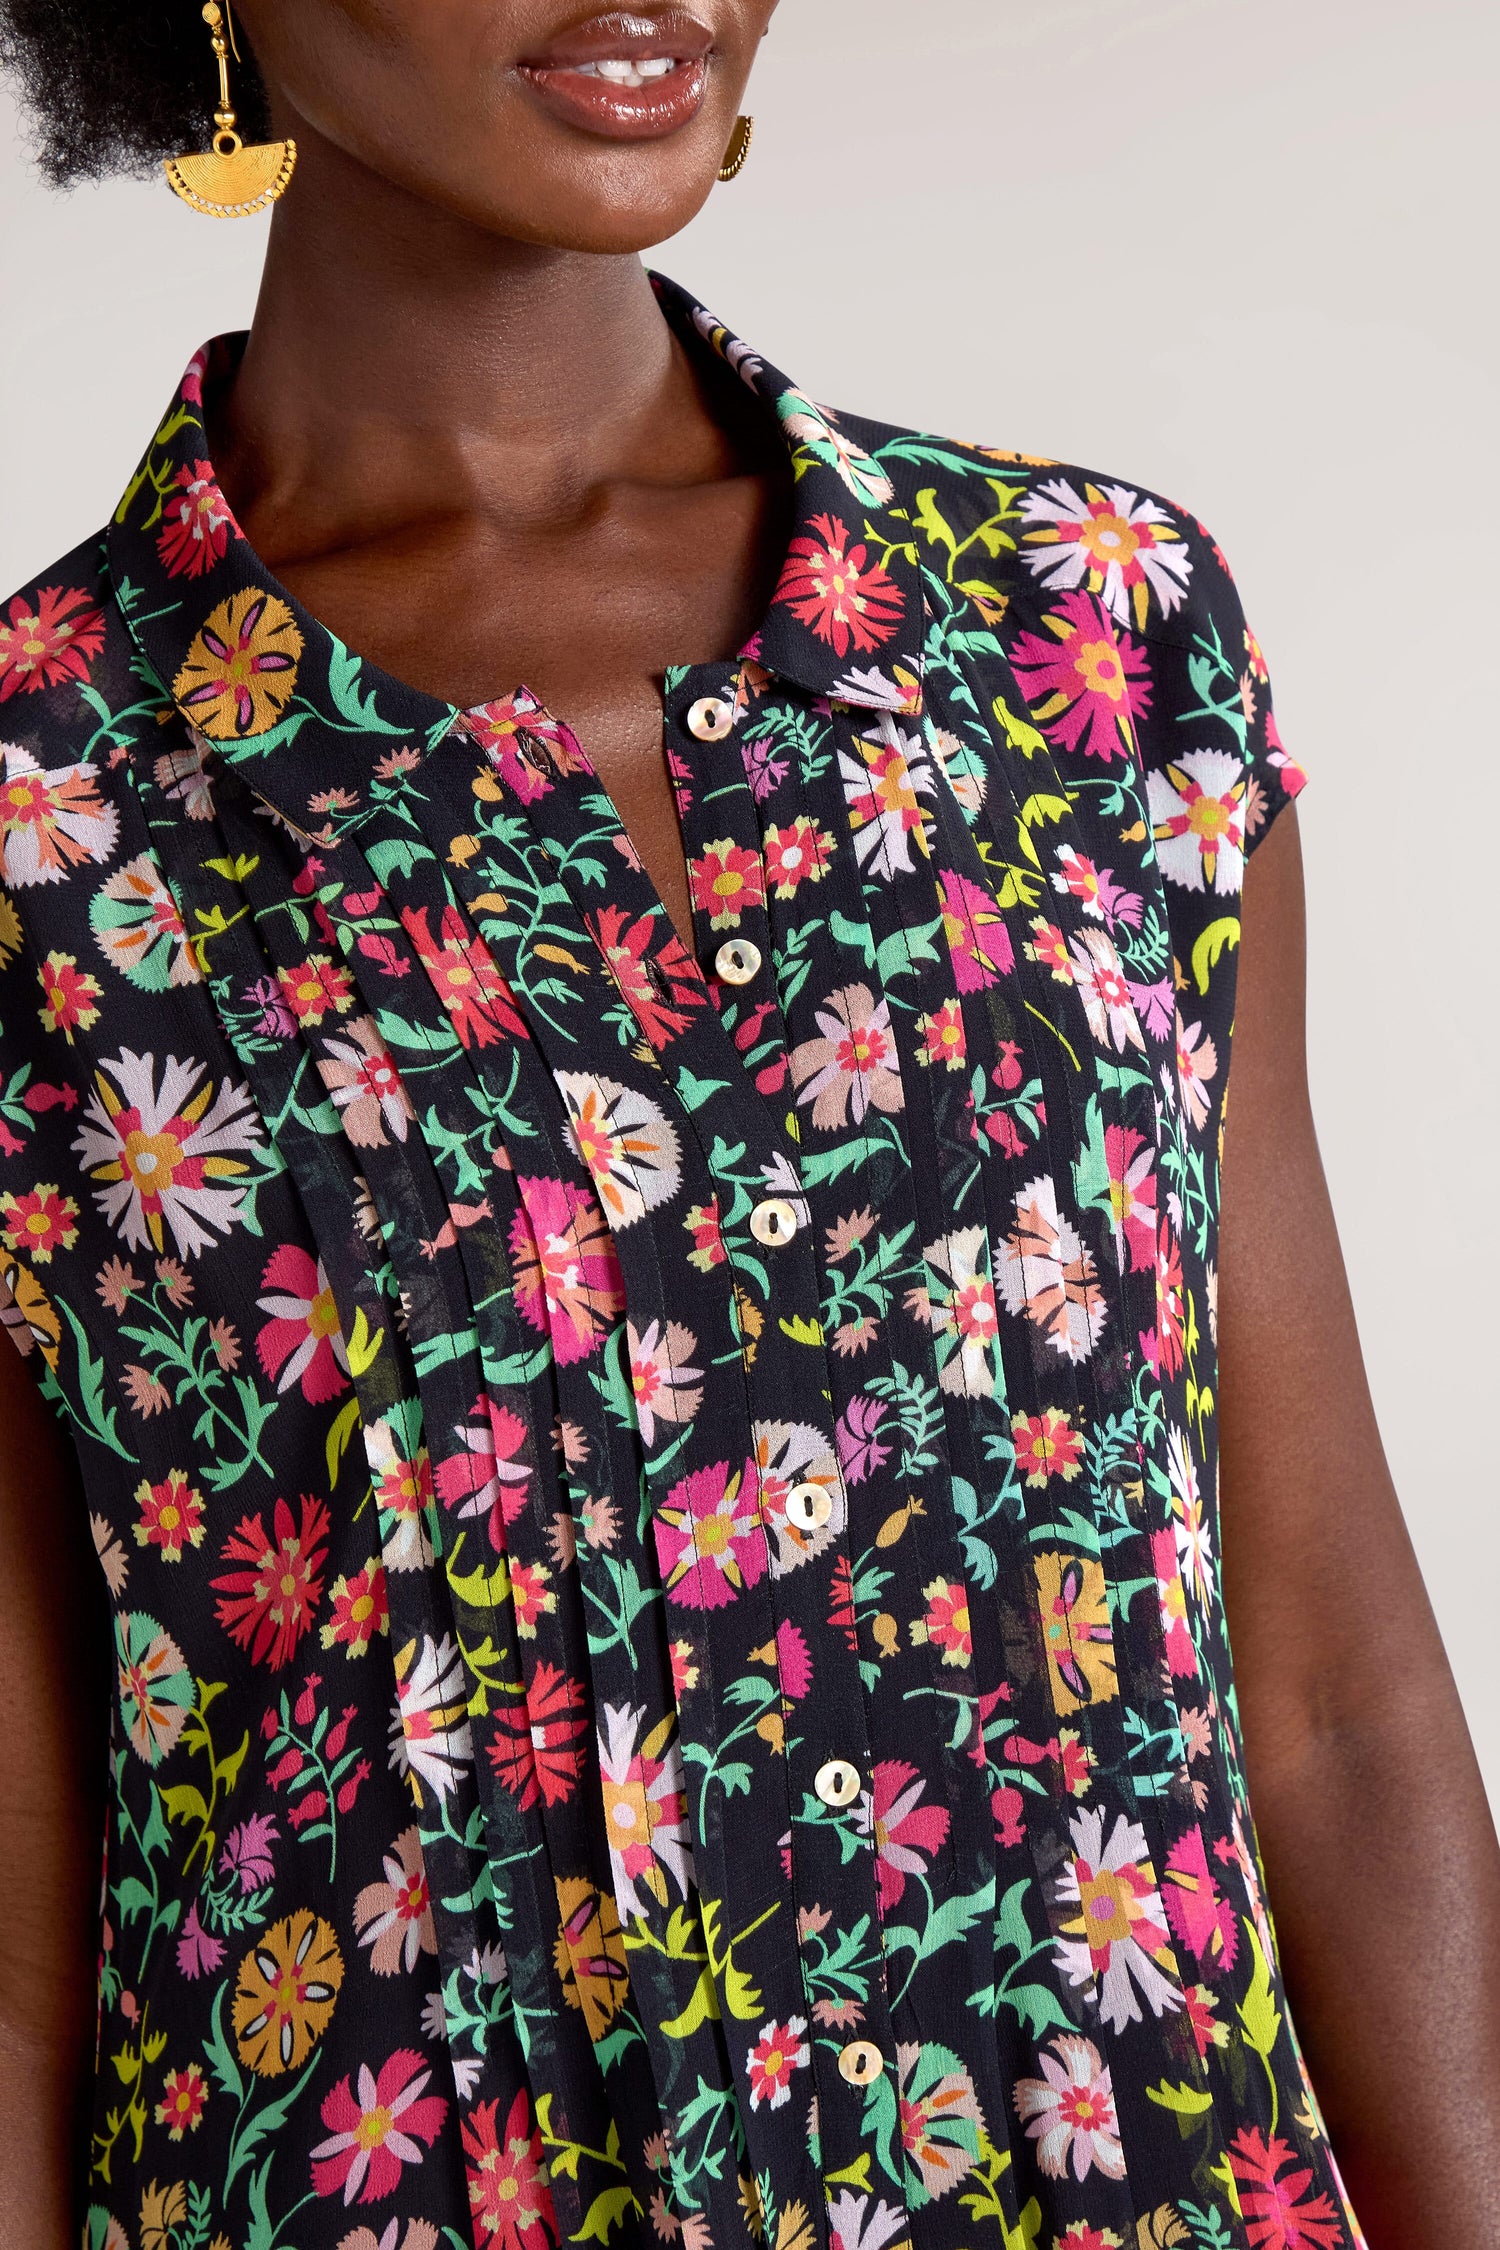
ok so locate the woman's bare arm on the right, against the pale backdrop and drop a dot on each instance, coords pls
(1380, 1848)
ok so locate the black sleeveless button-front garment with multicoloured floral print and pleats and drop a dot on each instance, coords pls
(660, 1504)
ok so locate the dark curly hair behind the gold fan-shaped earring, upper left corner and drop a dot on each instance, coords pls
(120, 84)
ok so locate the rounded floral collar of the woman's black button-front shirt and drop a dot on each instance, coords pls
(282, 699)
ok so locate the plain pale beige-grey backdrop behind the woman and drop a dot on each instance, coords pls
(1240, 251)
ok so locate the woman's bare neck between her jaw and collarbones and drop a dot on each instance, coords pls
(401, 354)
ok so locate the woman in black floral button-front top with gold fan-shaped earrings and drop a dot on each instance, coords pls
(629, 1275)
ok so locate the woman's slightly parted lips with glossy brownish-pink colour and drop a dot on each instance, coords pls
(624, 78)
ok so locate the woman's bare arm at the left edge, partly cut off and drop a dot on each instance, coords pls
(53, 1765)
